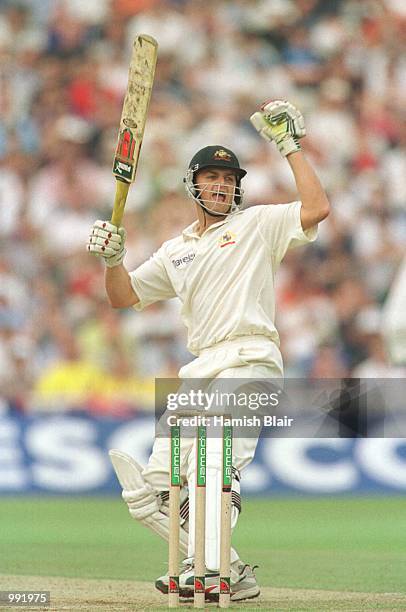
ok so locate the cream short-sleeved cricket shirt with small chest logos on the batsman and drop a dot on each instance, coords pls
(224, 278)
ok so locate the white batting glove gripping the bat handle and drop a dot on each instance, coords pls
(107, 241)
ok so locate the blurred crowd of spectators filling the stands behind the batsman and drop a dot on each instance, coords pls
(63, 72)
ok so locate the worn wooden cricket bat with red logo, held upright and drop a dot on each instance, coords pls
(133, 119)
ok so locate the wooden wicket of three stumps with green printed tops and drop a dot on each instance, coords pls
(200, 514)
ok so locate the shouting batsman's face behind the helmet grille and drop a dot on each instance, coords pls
(216, 188)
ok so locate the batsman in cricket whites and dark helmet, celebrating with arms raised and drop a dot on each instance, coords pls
(222, 268)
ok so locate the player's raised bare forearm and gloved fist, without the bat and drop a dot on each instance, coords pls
(281, 122)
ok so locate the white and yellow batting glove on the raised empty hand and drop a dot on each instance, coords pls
(281, 122)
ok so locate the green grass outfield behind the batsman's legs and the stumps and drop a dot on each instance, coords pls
(338, 544)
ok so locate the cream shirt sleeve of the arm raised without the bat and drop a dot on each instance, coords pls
(281, 228)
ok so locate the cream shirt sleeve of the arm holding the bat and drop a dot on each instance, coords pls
(151, 281)
